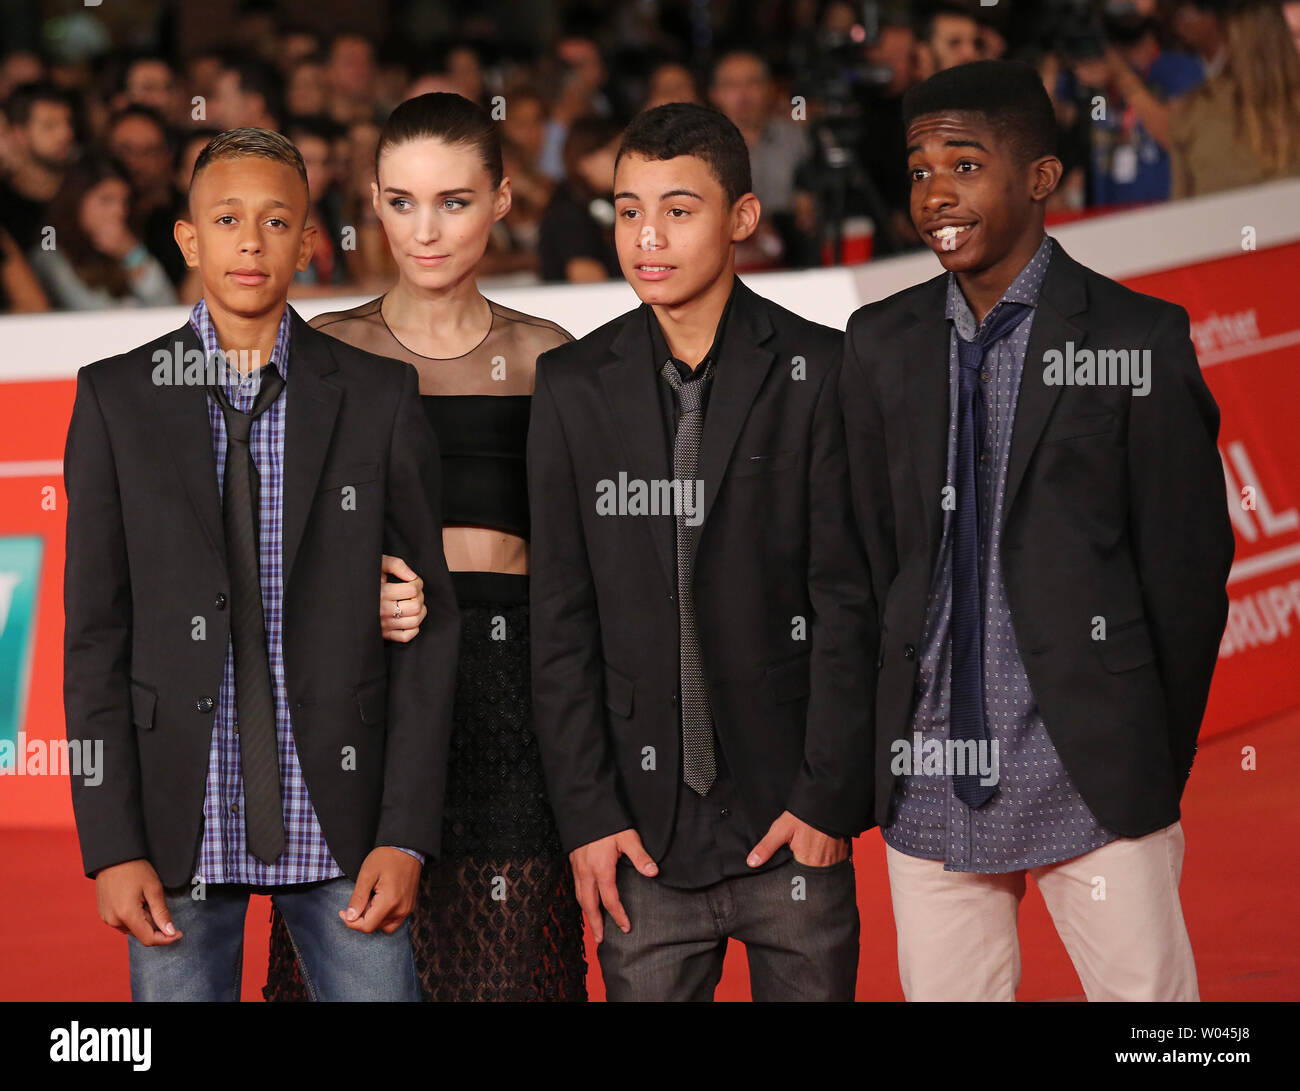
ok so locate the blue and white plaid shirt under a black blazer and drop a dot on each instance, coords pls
(224, 855)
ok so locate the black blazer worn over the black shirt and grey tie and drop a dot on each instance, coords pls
(777, 545)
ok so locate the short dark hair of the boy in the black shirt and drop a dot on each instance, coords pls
(692, 129)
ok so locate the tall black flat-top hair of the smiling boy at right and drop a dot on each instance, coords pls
(1009, 97)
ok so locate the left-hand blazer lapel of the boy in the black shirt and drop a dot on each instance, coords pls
(629, 379)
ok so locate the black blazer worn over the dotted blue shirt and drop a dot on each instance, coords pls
(1115, 509)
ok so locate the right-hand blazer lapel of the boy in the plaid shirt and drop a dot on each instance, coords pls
(309, 428)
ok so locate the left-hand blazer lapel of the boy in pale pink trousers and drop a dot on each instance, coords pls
(928, 399)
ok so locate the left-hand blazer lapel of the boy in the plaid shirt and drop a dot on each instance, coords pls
(184, 409)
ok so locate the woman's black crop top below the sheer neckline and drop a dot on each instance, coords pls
(482, 439)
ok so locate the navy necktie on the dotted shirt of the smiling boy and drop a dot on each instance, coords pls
(968, 622)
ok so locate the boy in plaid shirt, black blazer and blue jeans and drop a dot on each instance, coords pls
(220, 637)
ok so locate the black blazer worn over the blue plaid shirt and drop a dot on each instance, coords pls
(146, 559)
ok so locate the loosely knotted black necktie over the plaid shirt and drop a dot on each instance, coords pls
(255, 702)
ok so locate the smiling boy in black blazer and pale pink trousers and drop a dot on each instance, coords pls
(1037, 482)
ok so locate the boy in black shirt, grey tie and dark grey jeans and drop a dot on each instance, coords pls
(701, 603)
